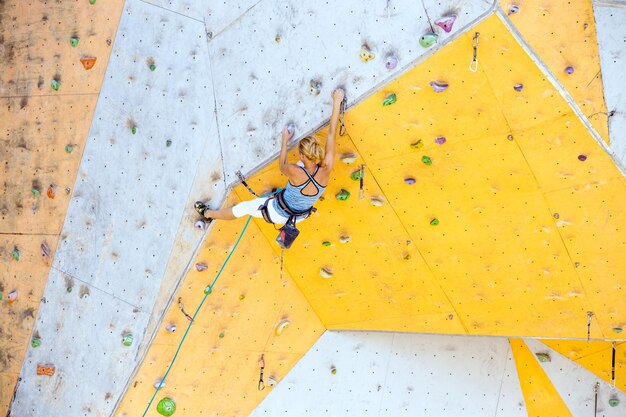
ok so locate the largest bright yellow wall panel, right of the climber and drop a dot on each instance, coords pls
(512, 171)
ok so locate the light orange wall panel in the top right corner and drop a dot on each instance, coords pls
(563, 34)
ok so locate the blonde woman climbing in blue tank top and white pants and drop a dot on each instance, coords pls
(311, 175)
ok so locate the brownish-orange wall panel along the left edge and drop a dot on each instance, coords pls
(42, 138)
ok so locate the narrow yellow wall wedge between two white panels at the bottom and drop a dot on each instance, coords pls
(542, 398)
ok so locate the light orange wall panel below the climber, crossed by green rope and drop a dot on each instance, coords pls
(251, 312)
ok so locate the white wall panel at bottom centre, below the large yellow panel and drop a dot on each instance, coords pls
(396, 374)
